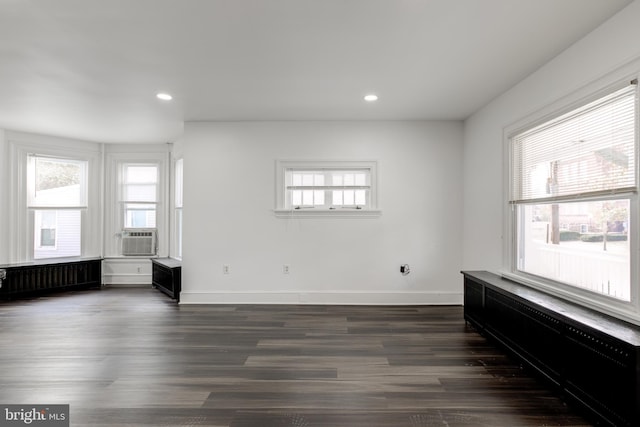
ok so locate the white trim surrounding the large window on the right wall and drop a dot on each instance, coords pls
(628, 311)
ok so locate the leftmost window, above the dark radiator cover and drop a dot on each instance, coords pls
(56, 197)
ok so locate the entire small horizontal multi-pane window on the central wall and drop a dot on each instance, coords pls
(326, 188)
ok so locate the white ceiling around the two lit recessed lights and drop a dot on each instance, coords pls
(90, 69)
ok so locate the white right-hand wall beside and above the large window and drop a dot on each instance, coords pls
(605, 55)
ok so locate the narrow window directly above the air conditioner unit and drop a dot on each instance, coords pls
(140, 195)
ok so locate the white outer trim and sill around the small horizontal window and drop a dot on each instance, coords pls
(282, 166)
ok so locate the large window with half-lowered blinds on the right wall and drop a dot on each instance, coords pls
(573, 191)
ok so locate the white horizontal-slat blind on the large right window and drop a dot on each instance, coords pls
(588, 152)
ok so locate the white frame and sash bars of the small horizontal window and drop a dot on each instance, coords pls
(284, 167)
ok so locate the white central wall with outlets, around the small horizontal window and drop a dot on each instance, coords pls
(228, 215)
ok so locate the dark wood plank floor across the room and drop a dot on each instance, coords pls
(132, 357)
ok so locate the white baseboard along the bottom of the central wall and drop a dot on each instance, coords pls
(423, 298)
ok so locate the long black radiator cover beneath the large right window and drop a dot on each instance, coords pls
(592, 358)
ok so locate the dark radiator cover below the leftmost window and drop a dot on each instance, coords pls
(51, 275)
